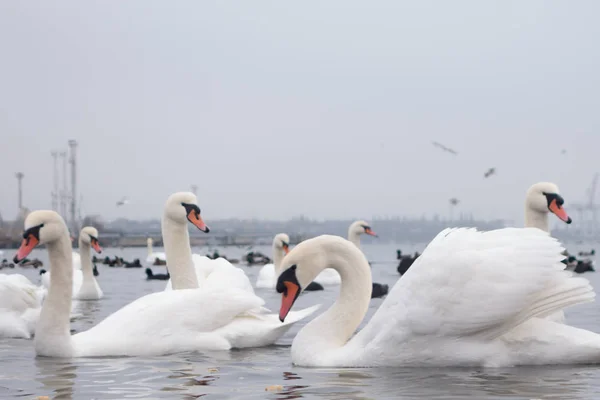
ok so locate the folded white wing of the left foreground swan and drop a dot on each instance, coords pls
(168, 322)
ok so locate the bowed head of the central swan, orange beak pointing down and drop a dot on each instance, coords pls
(306, 261)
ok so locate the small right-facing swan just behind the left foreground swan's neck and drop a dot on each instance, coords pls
(85, 286)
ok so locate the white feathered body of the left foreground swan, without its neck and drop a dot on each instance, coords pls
(191, 319)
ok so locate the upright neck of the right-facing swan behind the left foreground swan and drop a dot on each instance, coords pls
(179, 255)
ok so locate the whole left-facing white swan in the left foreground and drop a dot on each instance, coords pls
(190, 319)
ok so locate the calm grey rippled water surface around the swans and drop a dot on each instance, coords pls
(246, 373)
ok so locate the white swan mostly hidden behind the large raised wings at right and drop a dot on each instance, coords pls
(541, 199)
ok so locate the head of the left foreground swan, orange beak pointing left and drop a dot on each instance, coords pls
(41, 227)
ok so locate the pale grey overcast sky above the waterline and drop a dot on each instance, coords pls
(321, 108)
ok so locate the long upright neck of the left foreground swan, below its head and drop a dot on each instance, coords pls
(53, 329)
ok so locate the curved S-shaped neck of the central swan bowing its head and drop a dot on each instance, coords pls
(332, 329)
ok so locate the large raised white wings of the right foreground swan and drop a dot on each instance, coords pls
(481, 284)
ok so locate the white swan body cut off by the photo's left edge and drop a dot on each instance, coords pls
(20, 306)
